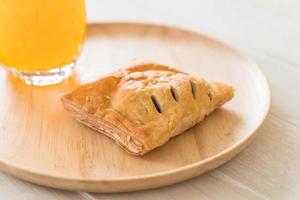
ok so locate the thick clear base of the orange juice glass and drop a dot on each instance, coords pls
(42, 78)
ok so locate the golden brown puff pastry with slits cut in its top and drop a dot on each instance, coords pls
(143, 106)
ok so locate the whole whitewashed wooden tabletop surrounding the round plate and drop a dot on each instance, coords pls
(266, 30)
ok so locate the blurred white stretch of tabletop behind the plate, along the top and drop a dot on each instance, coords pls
(270, 27)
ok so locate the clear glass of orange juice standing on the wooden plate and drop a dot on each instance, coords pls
(40, 39)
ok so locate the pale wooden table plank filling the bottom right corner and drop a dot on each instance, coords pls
(280, 149)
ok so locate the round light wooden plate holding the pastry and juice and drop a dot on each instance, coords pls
(41, 143)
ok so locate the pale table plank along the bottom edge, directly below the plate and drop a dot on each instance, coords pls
(198, 188)
